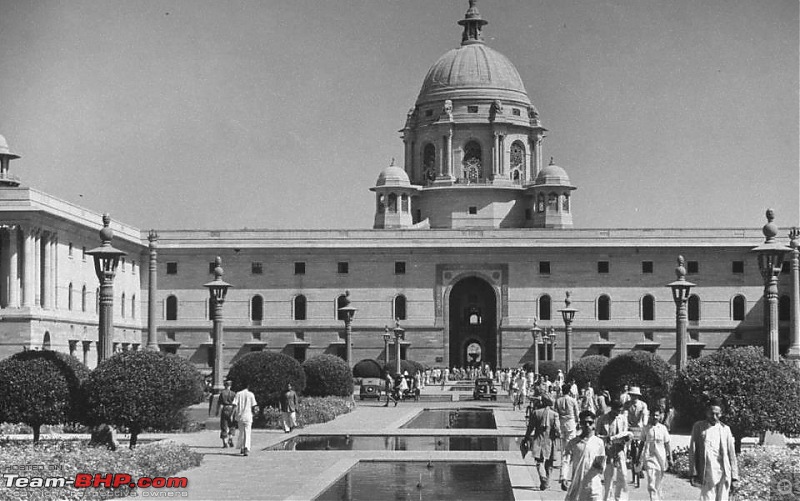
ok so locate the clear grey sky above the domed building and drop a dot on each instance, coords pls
(280, 114)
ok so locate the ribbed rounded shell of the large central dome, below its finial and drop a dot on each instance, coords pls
(473, 71)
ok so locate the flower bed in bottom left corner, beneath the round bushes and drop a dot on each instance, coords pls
(66, 458)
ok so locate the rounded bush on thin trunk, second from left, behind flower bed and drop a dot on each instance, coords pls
(142, 389)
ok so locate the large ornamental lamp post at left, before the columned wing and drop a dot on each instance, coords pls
(106, 259)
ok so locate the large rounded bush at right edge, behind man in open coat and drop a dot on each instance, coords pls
(759, 395)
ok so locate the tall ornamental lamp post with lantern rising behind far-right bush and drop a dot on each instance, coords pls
(770, 259)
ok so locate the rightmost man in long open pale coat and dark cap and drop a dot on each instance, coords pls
(712, 456)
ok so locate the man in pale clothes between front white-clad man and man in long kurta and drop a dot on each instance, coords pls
(613, 429)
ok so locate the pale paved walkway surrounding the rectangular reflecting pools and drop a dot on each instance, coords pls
(301, 475)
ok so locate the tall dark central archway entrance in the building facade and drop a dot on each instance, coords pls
(473, 324)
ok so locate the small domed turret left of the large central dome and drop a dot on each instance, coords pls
(393, 192)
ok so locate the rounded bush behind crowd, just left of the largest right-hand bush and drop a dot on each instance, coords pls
(638, 368)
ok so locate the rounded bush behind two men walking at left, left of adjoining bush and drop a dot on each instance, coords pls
(267, 374)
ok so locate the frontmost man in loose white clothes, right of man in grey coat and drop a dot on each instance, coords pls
(583, 463)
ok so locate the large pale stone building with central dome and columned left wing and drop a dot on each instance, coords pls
(472, 239)
